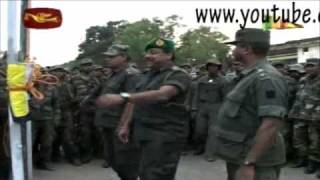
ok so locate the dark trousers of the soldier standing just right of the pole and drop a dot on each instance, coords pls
(43, 133)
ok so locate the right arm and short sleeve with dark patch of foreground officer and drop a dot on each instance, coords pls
(272, 102)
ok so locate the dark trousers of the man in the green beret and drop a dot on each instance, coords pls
(159, 160)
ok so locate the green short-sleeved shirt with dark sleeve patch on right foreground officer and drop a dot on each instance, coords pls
(261, 92)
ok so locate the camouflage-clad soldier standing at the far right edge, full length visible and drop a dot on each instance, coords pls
(307, 130)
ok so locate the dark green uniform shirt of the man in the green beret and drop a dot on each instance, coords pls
(164, 121)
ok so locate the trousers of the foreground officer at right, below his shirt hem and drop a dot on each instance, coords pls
(261, 173)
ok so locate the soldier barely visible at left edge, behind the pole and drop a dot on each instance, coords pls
(4, 135)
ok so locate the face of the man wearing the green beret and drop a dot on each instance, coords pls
(156, 57)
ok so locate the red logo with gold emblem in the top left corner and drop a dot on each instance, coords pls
(42, 18)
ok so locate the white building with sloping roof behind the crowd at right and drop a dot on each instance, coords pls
(296, 51)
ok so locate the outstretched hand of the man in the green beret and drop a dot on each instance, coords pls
(109, 100)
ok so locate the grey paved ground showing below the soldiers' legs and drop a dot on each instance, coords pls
(190, 168)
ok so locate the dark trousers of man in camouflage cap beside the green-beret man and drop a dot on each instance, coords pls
(123, 158)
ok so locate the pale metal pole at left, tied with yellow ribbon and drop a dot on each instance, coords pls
(20, 133)
